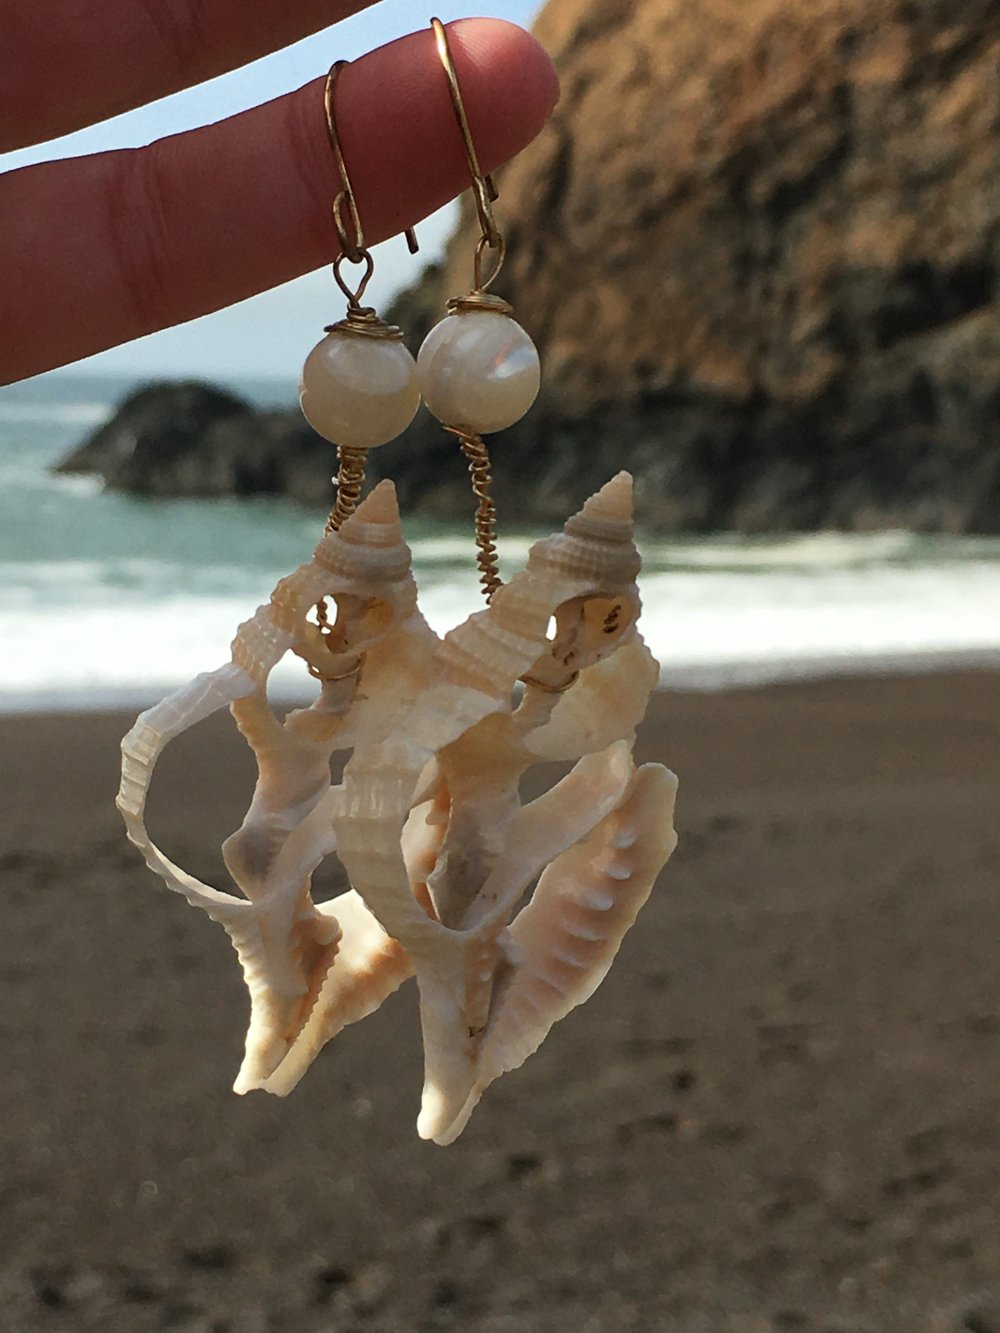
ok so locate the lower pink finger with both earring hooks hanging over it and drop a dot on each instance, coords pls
(103, 250)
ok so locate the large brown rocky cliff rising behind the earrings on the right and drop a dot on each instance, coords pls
(759, 251)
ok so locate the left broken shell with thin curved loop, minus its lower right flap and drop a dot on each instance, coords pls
(285, 944)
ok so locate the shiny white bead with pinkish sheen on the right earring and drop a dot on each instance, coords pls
(479, 370)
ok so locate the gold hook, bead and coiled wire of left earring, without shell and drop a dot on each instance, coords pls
(359, 386)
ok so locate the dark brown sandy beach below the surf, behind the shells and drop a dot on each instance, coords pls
(782, 1111)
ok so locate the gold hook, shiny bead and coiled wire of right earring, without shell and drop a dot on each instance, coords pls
(479, 371)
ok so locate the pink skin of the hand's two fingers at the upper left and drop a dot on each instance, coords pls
(105, 249)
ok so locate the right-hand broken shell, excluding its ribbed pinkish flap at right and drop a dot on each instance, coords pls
(463, 735)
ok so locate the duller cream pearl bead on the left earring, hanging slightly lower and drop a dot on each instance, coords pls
(359, 391)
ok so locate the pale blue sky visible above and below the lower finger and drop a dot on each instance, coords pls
(270, 334)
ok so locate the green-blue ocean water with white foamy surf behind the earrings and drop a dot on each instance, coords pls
(113, 601)
